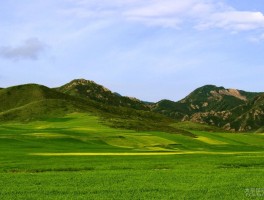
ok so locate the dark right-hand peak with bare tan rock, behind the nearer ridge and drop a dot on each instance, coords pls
(204, 99)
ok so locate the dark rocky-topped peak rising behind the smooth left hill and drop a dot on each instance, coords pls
(90, 90)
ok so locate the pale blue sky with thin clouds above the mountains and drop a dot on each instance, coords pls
(151, 49)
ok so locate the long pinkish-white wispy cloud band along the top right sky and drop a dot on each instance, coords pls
(201, 14)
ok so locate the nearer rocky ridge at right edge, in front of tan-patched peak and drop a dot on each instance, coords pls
(246, 116)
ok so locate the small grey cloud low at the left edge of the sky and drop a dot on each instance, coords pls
(30, 50)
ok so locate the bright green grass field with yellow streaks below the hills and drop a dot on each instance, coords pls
(78, 157)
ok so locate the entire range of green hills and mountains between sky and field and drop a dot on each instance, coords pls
(230, 109)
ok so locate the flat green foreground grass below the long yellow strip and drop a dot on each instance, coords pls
(148, 177)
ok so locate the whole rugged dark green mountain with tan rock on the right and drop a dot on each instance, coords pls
(231, 109)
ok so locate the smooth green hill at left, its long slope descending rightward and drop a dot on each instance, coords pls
(36, 102)
